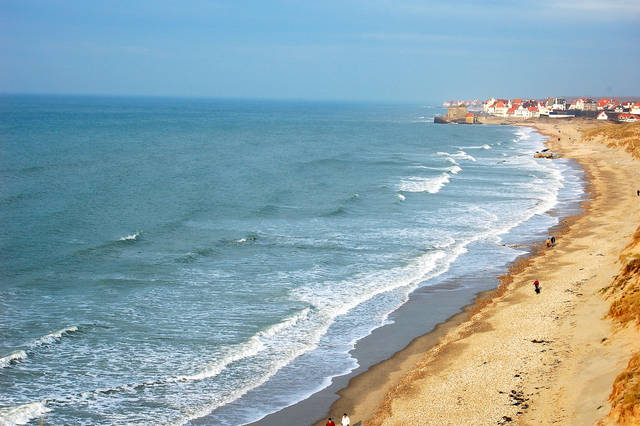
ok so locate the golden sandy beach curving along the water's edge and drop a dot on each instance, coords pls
(527, 358)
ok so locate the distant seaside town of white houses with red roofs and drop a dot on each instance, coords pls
(602, 109)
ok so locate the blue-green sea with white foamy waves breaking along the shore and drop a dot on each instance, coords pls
(164, 259)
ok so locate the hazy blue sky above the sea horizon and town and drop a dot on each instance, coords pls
(378, 50)
